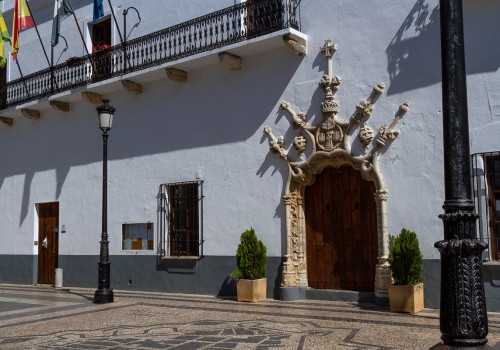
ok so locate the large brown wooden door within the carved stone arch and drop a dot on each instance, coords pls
(341, 230)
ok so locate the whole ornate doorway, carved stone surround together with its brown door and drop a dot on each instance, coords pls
(357, 236)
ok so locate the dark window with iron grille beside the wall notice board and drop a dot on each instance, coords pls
(182, 219)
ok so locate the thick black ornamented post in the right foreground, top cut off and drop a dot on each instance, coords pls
(463, 318)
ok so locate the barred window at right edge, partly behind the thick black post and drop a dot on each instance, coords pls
(486, 186)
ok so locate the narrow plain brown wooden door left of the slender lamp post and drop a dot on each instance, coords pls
(48, 242)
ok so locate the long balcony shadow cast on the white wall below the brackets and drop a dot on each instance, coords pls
(163, 120)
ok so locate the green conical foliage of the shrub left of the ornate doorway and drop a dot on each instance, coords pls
(250, 257)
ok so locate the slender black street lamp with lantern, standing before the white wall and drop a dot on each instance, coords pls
(104, 294)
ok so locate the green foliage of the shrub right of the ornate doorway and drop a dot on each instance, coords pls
(405, 258)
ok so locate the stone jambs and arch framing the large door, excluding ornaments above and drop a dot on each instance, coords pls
(295, 264)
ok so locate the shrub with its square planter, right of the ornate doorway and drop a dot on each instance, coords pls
(406, 294)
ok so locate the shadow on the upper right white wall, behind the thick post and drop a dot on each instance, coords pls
(414, 54)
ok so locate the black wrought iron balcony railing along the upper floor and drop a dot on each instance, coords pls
(234, 24)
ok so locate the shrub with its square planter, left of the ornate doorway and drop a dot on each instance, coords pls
(251, 268)
